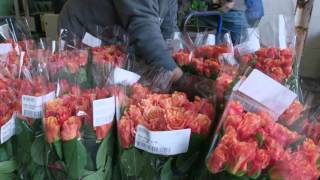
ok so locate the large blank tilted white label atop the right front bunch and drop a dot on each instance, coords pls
(267, 92)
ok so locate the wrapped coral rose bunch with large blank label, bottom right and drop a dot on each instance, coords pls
(255, 140)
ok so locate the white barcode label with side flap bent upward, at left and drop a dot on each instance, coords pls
(32, 106)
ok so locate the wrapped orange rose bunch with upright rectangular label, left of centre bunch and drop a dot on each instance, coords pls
(78, 127)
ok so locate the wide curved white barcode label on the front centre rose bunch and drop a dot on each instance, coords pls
(162, 142)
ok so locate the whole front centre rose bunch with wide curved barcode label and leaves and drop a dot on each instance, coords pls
(161, 134)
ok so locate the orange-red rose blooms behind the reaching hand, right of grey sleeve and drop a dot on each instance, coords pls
(203, 61)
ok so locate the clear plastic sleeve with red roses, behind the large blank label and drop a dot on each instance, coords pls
(271, 49)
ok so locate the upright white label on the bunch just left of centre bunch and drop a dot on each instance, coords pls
(103, 111)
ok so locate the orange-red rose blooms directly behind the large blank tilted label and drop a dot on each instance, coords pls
(276, 63)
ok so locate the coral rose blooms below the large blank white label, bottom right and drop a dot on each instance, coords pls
(253, 143)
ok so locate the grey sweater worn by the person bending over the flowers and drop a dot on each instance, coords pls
(148, 22)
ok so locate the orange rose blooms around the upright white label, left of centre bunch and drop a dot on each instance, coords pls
(63, 113)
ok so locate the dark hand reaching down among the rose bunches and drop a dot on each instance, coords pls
(194, 85)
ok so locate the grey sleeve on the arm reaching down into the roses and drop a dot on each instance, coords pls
(142, 21)
